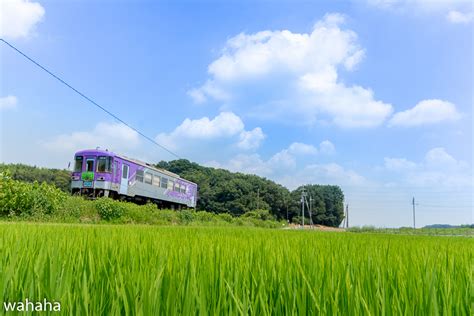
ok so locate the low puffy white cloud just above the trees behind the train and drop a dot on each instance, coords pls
(224, 126)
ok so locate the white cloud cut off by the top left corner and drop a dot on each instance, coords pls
(19, 17)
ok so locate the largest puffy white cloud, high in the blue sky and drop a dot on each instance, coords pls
(297, 71)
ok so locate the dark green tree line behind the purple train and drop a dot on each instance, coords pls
(221, 191)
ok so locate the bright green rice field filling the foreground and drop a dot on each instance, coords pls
(149, 270)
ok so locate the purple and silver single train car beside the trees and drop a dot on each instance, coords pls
(103, 173)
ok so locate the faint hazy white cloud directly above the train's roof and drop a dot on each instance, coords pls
(113, 136)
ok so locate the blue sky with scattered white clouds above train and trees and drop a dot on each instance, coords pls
(374, 96)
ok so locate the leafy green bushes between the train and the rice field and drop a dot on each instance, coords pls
(44, 202)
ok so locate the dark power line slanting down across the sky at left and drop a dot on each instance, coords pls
(88, 99)
